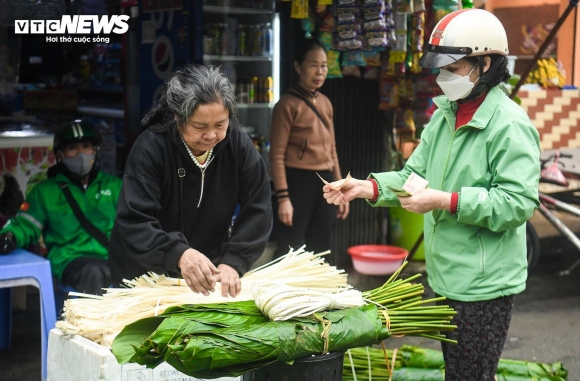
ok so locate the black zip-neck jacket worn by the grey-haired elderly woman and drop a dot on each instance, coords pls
(159, 214)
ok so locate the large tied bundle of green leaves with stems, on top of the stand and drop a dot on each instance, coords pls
(229, 339)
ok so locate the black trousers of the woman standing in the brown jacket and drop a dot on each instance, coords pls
(313, 216)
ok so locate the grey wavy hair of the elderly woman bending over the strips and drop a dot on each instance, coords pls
(188, 88)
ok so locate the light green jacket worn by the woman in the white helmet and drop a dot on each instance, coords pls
(493, 162)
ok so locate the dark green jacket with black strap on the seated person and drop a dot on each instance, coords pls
(47, 212)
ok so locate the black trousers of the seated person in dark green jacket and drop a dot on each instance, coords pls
(88, 275)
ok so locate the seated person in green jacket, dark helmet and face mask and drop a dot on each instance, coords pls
(78, 257)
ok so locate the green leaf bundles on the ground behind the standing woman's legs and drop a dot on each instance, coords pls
(421, 364)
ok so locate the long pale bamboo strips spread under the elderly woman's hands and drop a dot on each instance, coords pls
(101, 318)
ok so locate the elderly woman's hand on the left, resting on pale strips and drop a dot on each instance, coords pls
(198, 271)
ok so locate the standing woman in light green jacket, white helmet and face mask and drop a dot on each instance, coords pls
(480, 154)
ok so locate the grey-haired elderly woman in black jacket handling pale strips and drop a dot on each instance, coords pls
(186, 174)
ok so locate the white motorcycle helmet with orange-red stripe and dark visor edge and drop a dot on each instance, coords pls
(464, 33)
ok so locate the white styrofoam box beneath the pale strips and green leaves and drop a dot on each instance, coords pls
(74, 358)
